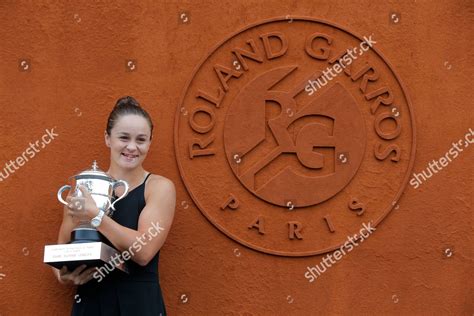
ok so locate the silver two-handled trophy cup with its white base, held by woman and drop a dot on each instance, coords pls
(86, 245)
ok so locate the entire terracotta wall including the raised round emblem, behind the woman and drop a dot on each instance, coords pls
(63, 65)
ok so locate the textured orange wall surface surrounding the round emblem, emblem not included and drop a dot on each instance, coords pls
(420, 259)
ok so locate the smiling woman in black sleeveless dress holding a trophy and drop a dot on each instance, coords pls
(150, 203)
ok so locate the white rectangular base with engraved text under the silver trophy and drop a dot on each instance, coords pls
(92, 254)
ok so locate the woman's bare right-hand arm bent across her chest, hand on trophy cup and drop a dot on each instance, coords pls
(153, 225)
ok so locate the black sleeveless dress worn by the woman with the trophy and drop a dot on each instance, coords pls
(136, 293)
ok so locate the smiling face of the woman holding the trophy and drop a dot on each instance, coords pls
(129, 141)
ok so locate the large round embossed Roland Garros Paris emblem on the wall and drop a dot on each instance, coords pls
(291, 136)
